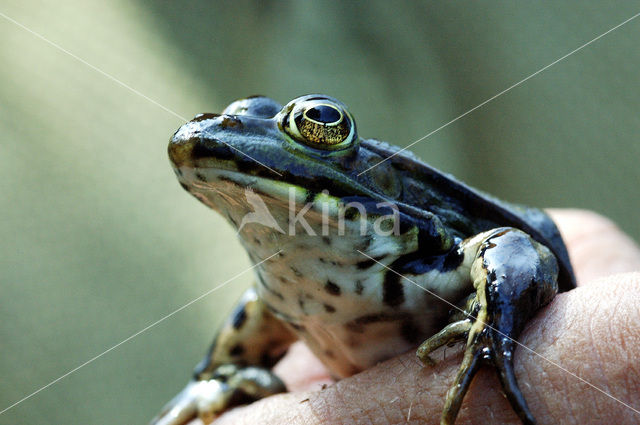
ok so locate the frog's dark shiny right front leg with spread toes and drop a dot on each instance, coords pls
(513, 277)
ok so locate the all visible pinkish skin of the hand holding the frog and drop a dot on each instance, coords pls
(586, 338)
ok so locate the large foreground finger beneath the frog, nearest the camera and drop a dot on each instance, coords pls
(401, 390)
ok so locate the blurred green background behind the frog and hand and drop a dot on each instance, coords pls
(98, 239)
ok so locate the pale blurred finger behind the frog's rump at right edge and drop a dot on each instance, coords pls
(597, 247)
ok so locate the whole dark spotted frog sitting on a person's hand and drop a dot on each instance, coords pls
(359, 249)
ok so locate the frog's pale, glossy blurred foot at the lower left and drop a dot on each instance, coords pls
(206, 399)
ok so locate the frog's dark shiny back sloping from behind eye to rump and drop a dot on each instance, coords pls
(467, 211)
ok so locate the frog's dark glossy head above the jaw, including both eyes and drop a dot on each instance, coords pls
(312, 143)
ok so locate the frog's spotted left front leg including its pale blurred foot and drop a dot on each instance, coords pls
(236, 369)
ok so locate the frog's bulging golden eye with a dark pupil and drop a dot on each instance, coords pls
(319, 122)
